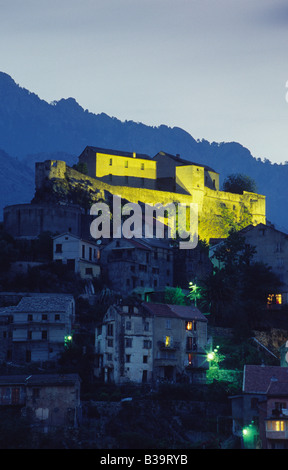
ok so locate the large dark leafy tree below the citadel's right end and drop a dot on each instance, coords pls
(238, 288)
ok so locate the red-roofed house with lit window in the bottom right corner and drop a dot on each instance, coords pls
(263, 404)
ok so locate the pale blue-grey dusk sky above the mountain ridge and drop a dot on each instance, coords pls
(216, 68)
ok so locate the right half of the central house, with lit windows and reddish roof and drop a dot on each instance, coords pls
(180, 342)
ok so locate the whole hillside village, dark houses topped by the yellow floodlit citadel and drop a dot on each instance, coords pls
(120, 343)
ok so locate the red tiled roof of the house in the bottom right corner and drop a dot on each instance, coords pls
(257, 379)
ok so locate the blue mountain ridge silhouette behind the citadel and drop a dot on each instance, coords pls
(33, 130)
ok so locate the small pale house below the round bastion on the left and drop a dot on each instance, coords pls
(82, 256)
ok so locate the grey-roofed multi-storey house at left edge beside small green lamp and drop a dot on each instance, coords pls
(37, 328)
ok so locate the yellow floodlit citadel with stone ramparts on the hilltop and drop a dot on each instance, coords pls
(162, 179)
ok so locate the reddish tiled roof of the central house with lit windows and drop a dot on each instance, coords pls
(185, 312)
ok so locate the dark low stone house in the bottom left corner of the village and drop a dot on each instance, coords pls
(47, 400)
